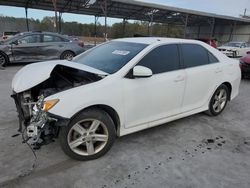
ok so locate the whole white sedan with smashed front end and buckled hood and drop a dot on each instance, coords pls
(120, 87)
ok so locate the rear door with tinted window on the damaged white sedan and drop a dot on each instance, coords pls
(203, 71)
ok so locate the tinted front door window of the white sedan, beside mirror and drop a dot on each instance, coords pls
(162, 59)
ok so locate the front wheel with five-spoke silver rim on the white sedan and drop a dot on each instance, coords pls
(88, 136)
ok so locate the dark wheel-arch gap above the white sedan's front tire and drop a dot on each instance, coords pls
(109, 110)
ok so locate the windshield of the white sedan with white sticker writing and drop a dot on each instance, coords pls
(110, 57)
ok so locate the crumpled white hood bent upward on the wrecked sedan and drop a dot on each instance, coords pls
(33, 74)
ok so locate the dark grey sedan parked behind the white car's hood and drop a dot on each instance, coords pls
(32, 47)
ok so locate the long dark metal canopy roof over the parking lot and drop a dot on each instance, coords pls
(128, 9)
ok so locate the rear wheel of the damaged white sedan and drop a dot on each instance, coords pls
(218, 101)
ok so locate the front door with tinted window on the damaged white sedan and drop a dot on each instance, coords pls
(159, 96)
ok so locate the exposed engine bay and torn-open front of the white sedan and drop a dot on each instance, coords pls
(35, 122)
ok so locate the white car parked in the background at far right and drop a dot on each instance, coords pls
(235, 49)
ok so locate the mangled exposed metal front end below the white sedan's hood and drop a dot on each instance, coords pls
(35, 123)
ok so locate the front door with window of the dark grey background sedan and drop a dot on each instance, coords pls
(26, 48)
